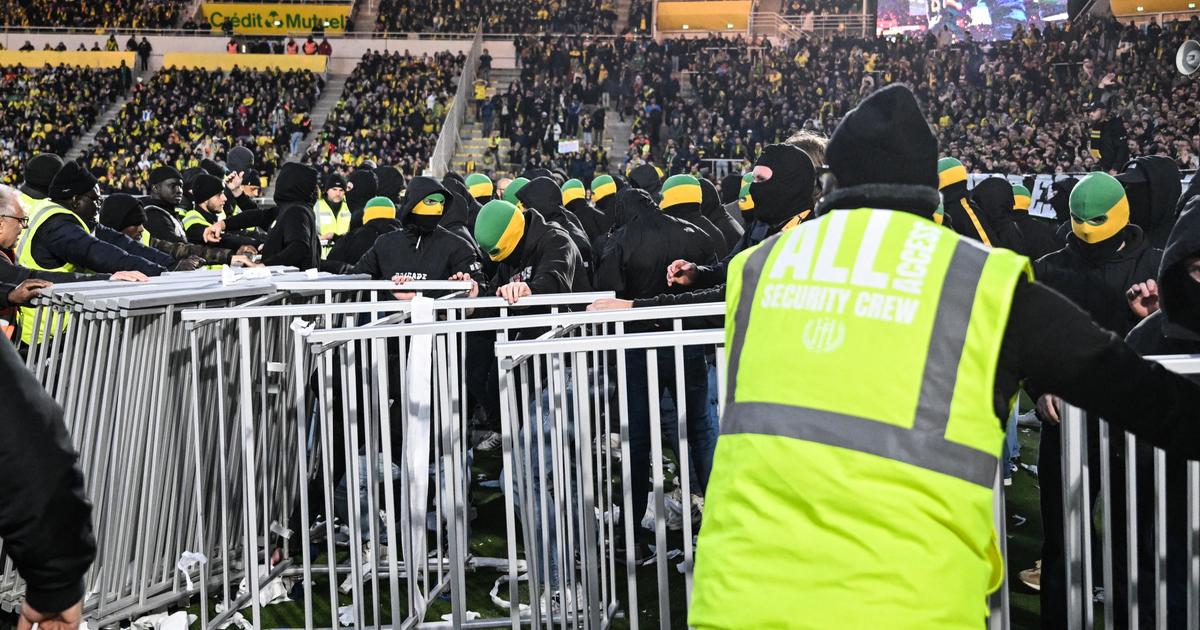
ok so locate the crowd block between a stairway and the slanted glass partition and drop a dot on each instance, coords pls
(391, 113)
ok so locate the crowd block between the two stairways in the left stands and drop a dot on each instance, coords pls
(182, 117)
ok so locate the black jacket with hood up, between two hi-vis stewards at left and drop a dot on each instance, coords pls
(295, 241)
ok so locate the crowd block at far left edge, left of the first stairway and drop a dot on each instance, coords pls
(46, 110)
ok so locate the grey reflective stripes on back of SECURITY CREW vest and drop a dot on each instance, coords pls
(925, 445)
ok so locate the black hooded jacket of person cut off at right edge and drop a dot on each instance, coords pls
(1175, 328)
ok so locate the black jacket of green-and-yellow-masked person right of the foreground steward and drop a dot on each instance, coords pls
(1097, 284)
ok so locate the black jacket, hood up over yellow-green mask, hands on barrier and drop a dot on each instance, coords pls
(418, 253)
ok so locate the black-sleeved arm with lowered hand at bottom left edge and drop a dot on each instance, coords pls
(45, 514)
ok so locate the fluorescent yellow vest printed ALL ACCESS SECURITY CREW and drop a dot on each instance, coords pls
(853, 483)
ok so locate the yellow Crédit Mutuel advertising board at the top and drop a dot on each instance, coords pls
(278, 19)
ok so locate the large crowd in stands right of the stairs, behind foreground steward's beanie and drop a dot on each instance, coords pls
(1016, 107)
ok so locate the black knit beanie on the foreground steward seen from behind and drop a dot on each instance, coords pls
(886, 140)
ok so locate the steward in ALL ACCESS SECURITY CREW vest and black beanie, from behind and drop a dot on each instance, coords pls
(873, 355)
